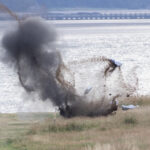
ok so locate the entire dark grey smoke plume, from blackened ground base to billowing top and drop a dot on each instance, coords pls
(31, 47)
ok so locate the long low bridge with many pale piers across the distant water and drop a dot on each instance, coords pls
(95, 16)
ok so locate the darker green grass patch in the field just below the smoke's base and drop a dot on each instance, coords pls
(61, 125)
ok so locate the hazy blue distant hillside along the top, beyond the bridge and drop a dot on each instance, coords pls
(27, 5)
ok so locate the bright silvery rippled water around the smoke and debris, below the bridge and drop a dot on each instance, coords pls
(125, 41)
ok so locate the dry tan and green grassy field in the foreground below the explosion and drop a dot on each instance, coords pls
(125, 130)
